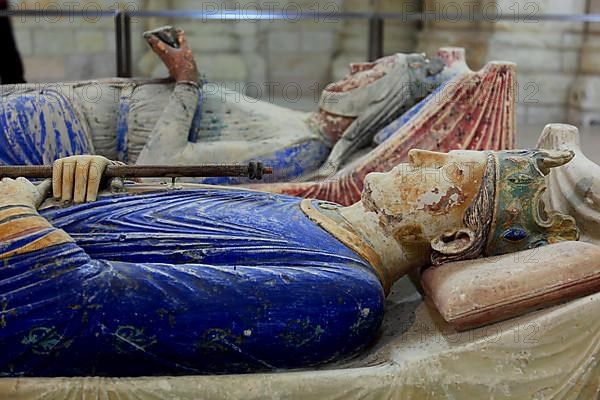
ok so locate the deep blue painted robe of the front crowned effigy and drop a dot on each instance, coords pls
(190, 282)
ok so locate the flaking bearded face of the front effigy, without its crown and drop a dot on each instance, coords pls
(417, 201)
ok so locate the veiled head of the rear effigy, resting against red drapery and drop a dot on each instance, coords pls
(352, 110)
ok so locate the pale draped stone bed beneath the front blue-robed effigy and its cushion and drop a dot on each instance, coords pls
(550, 354)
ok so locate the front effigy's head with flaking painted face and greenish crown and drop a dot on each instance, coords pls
(466, 203)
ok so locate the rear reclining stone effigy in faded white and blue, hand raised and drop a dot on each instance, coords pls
(161, 122)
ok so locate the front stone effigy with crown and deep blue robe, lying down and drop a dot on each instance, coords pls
(227, 280)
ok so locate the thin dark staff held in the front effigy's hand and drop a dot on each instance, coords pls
(254, 170)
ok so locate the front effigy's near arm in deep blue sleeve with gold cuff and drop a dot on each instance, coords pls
(66, 314)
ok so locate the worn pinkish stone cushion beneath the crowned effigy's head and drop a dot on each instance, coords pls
(470, 294)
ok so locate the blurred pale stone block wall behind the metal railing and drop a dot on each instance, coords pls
(291, 61)
